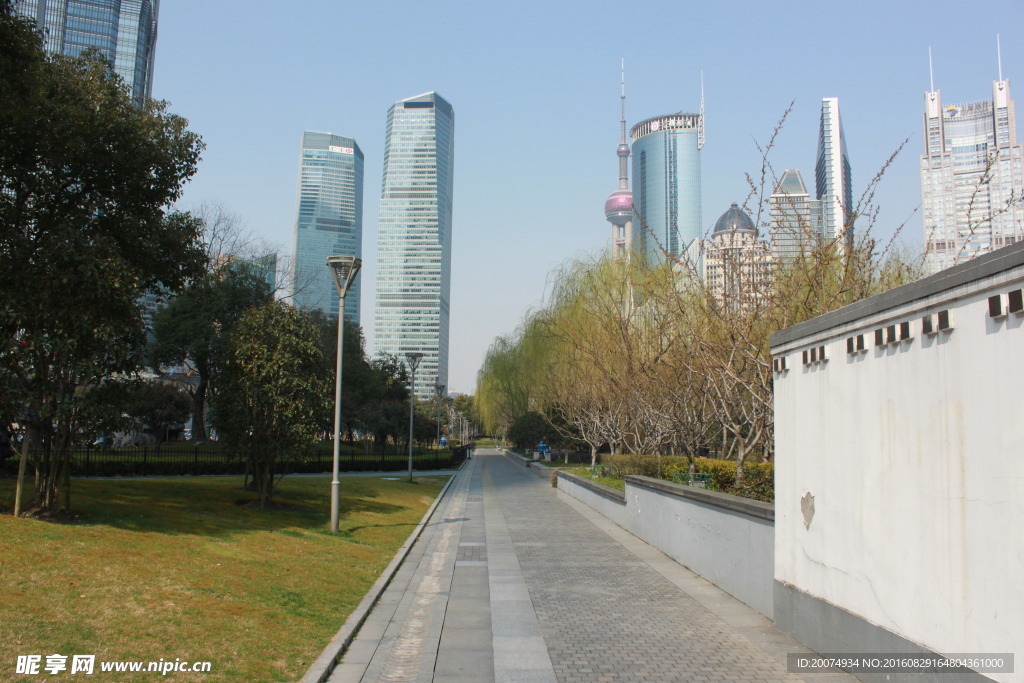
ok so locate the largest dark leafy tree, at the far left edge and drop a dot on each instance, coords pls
(87, 177)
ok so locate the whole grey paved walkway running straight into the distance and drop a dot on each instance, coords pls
(515, 581)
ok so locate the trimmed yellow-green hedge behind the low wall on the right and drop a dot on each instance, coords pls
(759, 479)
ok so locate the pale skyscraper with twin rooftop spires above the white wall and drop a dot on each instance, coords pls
(971, 178)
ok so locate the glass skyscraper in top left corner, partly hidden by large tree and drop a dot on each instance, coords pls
(124, 31)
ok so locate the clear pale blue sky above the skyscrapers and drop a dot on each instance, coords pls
(535, 87)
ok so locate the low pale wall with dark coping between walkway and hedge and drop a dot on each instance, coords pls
(728, 540)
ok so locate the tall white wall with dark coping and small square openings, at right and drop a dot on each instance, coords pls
(914, 454)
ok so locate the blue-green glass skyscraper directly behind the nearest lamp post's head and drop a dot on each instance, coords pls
(329, 221)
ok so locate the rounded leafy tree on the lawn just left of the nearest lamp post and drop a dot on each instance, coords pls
(274, 392)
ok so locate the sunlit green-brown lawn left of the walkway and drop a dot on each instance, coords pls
(182, 568)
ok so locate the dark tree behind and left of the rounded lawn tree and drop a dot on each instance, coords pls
(193, 328)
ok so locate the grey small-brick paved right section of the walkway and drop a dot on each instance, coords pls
(606, 615)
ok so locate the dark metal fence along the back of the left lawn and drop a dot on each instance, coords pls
(182, 459)
